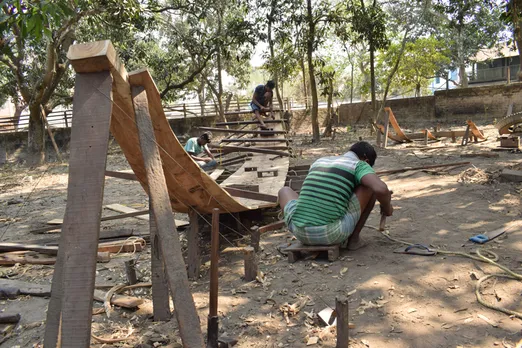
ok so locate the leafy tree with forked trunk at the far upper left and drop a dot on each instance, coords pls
(36, 36)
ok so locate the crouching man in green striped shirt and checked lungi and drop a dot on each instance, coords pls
(336, 198)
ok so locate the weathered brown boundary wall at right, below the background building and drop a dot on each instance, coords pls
(483, 104)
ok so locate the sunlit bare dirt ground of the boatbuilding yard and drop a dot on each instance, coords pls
(395, 300)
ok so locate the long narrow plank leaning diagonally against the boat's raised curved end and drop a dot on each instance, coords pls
(186, 314)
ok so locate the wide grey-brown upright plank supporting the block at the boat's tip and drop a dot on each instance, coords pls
(80, 231)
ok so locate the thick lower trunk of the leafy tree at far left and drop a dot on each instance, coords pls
(36, 136)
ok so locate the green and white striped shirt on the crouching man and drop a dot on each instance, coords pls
(327, 189)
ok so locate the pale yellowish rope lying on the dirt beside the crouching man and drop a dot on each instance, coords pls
(482, 258)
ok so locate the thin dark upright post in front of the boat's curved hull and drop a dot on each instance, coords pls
(213, 323)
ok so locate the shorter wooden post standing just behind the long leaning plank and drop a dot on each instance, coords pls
(160, 289)
